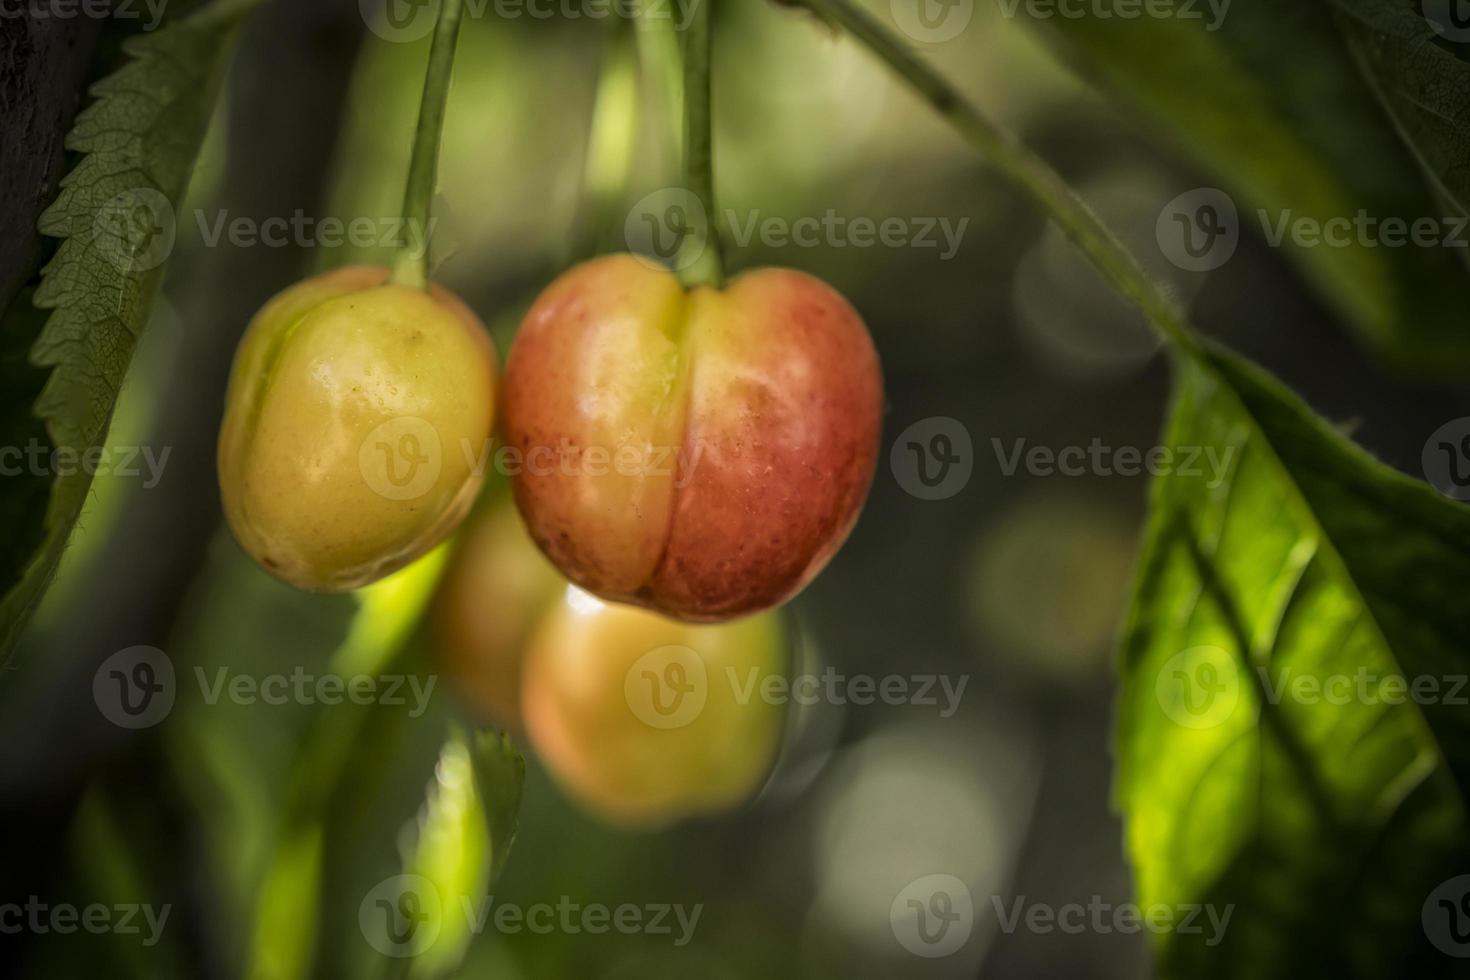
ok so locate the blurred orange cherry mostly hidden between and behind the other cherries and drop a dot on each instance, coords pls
(492, 597)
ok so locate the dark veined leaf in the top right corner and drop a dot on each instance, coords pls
(1421, 80)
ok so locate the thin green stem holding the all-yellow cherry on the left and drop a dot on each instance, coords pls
(411, 267)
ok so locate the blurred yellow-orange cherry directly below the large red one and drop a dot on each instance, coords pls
(648, 721)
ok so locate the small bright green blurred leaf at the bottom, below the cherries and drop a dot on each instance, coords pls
(464, 835)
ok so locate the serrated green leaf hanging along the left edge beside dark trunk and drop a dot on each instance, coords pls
(115, 218)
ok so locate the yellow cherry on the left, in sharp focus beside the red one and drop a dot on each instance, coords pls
(354, 422)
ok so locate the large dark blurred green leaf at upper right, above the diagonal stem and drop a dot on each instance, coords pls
(1269, 102)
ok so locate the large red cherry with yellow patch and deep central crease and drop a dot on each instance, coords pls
(699, 452)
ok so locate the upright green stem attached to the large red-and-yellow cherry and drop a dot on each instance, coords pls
(702, 264)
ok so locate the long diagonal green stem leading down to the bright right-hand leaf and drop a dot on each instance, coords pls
(1024, 170)
